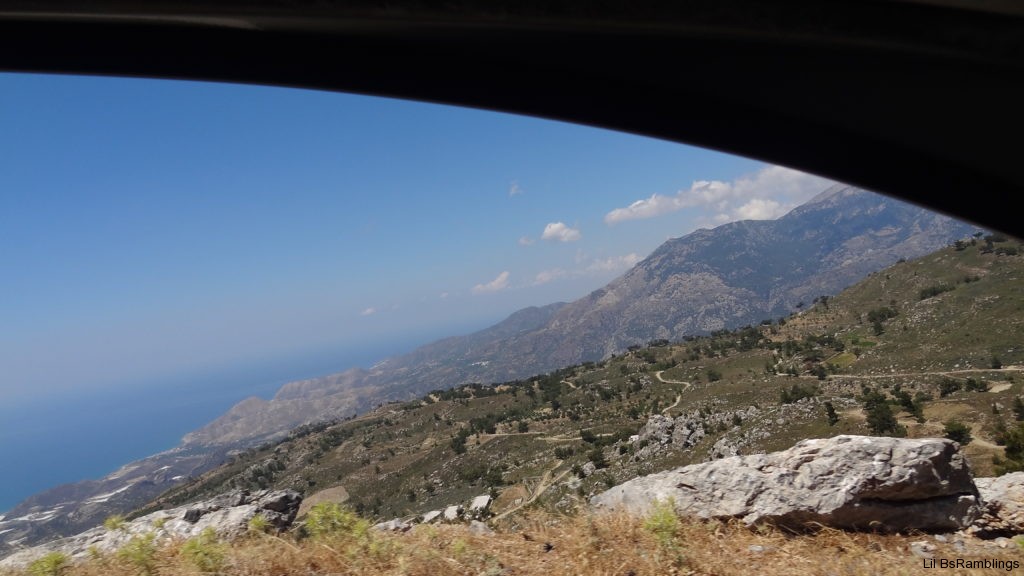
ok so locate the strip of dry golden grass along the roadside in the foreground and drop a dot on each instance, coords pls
(549, 546)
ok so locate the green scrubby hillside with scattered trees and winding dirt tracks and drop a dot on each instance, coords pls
(554, 440)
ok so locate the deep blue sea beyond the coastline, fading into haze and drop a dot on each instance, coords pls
(81, 436)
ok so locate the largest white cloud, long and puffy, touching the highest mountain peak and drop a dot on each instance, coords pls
(767, 194)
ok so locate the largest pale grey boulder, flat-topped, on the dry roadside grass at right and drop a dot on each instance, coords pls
(848, 482)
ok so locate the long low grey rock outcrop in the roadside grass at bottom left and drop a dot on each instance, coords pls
(228, 516)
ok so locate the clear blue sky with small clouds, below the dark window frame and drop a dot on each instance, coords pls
(154, 230)
